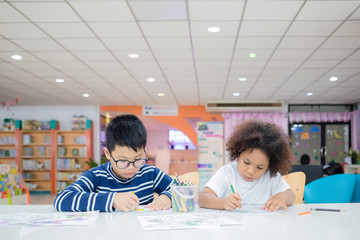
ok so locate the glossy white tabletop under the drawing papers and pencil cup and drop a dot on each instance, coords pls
(286, 225)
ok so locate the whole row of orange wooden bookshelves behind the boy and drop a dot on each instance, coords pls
(41, 157)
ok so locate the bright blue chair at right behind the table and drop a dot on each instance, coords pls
(337, 188)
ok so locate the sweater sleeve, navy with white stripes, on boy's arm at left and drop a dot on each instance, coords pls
(81, 196)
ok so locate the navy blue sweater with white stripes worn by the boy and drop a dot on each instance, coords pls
(96, 188)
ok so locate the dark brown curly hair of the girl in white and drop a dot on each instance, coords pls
(266, 137)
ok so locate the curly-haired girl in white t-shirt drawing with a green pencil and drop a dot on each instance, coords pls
(259, 152)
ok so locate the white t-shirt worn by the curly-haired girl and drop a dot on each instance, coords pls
(255, 192)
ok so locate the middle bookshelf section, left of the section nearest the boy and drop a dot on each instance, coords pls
(36, 159)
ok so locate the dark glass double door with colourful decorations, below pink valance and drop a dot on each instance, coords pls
(323, 142)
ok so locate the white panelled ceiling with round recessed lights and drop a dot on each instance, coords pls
(299, 45)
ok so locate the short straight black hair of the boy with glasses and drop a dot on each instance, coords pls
(126, 130)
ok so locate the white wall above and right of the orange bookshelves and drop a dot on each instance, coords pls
(61, 113)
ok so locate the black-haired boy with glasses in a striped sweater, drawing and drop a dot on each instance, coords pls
(125, 181)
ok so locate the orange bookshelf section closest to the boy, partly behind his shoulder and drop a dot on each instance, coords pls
(73, 149)
